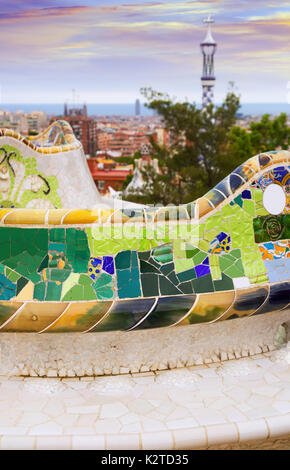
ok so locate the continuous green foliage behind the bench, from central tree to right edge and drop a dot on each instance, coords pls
(205, 146)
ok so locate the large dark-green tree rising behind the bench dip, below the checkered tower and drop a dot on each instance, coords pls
(198, 155)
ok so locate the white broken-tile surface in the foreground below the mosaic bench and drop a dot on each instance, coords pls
(196, 407)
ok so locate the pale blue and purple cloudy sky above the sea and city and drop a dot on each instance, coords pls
(107, 50)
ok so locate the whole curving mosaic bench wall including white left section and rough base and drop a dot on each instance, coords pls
(66, 268)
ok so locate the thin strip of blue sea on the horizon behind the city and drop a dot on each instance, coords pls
(128, 109)
